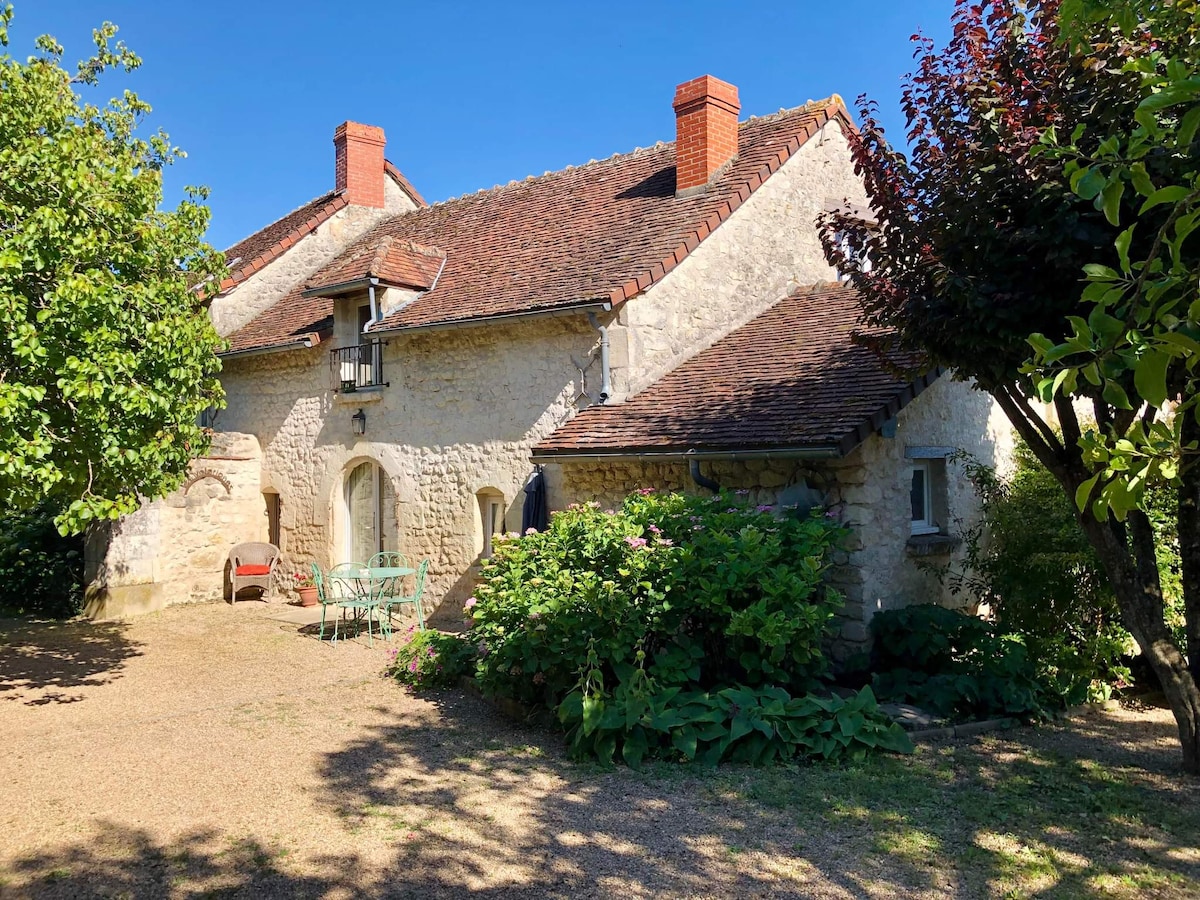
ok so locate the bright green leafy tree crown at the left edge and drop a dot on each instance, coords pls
(110, 357)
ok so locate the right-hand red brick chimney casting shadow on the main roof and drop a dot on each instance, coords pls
(706, 131)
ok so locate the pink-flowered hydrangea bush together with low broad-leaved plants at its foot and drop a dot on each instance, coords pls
(676, 627)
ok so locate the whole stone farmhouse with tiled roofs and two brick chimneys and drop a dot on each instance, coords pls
(661, 319)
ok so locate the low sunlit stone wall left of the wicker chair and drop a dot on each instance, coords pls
(175, 550)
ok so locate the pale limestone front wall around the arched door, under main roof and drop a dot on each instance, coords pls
(461, 413)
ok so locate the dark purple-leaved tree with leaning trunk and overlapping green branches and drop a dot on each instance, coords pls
(982, 244)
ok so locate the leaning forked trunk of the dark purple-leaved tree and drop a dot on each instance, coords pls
(1132, 568)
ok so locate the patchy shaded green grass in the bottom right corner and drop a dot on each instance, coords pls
(995, 819)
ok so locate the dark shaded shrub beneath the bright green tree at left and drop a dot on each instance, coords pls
(41, 572)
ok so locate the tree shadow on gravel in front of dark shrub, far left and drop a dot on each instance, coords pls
(46, 663)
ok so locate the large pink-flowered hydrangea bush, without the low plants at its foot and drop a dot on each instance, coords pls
(710, 589)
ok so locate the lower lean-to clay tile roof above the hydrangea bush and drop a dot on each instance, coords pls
(790, 379)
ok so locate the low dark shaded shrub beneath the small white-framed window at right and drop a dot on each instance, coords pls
(958, 667)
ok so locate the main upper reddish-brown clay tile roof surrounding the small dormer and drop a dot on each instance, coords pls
(597, 233)
